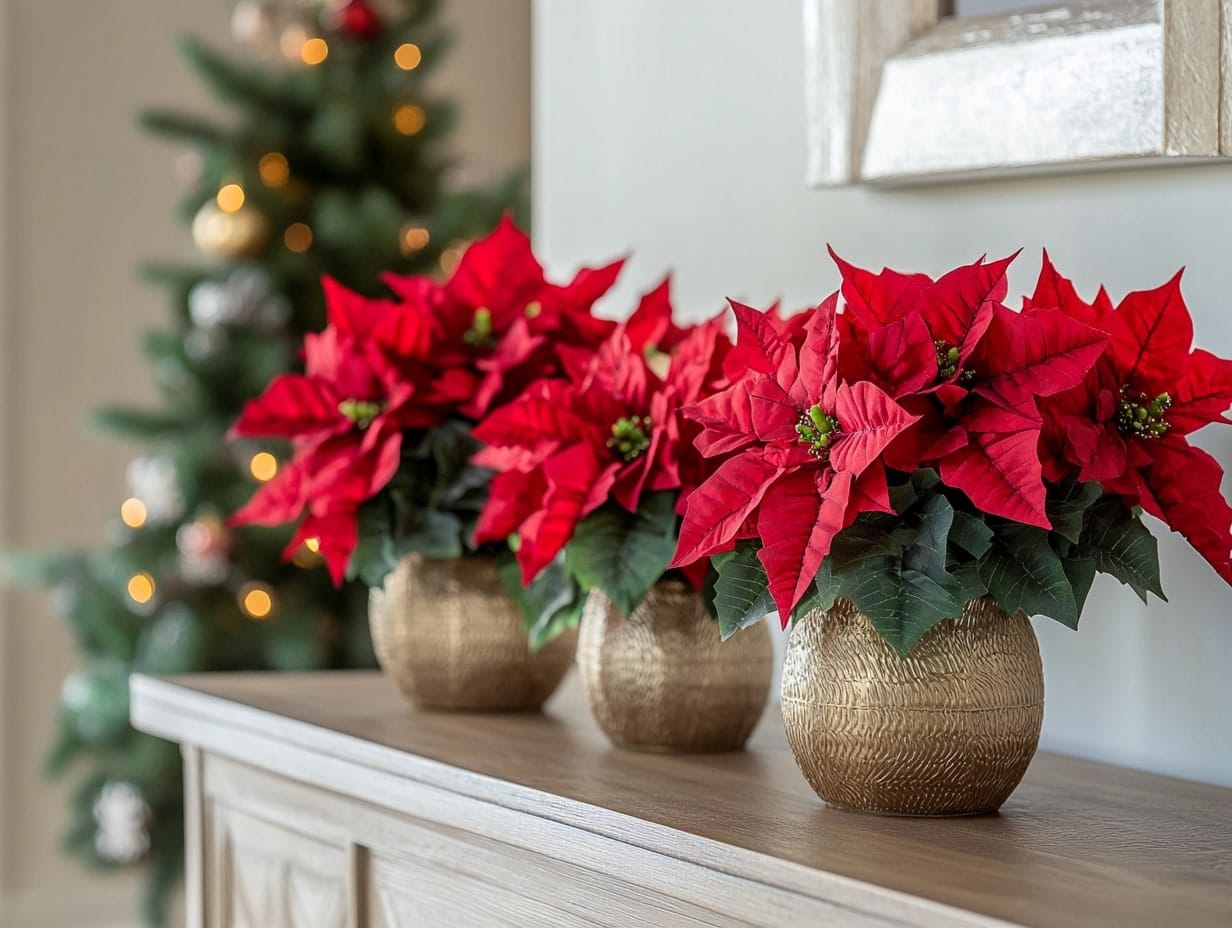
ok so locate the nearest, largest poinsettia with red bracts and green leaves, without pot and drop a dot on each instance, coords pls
(912, 444)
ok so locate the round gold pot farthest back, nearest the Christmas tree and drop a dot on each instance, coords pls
(450, 637)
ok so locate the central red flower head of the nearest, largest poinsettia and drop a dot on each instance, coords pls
(950, 352)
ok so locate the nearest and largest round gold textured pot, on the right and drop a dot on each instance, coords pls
(948, 731)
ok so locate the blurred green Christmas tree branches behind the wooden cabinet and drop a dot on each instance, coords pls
(357, 183)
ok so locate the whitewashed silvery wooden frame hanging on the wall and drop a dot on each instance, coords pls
(898, 93)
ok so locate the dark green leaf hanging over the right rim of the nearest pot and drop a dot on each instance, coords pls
(1022, 571)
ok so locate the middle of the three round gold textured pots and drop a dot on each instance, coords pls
(662, 680)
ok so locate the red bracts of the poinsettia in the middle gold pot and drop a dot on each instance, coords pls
(609, 429)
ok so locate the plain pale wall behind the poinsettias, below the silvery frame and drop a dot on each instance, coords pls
(677, 130)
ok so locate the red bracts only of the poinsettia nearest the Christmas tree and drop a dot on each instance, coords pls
(385, 367)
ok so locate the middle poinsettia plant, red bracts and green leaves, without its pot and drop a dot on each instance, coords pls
(593, 466)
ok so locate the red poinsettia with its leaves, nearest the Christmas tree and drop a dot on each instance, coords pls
(381, 420)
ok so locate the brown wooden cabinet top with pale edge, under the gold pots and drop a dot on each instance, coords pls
(1077, 845)
